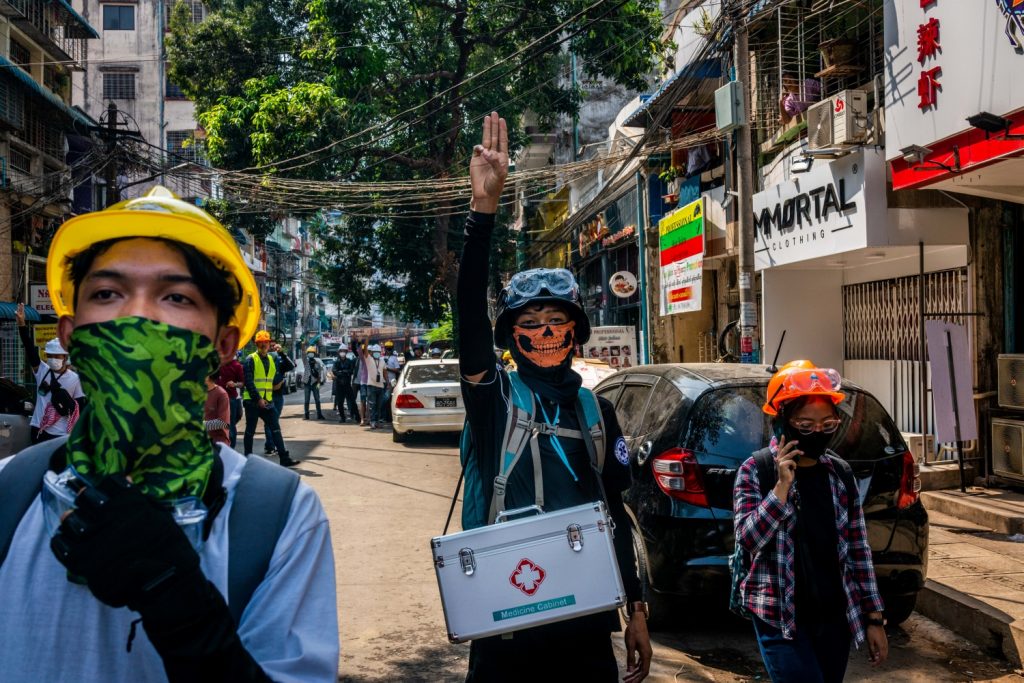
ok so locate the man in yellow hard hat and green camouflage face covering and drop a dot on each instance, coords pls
(114, 589)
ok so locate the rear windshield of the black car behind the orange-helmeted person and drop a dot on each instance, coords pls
(731, 422)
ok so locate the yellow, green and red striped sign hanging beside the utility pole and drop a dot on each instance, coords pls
(682, 246)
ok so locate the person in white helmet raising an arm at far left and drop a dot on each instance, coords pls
(59, 390)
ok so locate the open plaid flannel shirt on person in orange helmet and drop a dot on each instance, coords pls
(765, 529)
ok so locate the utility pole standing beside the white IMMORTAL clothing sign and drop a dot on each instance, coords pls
(749, 335)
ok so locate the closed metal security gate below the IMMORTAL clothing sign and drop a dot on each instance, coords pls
(882, 322)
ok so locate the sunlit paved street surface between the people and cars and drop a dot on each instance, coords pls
(386, 501)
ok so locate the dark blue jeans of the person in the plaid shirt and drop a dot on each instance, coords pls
(818, 655)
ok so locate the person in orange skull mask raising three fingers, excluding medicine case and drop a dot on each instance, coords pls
(540, 305)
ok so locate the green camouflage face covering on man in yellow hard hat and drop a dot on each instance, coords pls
(145, 383)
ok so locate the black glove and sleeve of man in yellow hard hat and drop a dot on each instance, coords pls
(132, 553)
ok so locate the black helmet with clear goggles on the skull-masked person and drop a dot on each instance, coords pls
(535, 287)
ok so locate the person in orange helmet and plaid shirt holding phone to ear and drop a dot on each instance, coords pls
(810, 589)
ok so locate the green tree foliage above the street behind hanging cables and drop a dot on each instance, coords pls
(375, 91)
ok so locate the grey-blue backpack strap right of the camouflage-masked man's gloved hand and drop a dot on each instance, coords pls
(263, 503)
